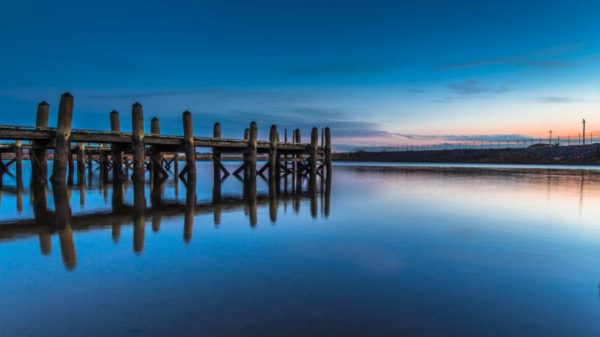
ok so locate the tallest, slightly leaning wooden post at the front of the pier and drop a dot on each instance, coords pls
(62, 142)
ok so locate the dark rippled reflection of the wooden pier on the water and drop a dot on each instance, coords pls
(54, 216)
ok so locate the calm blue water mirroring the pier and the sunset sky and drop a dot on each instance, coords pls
(393, 251)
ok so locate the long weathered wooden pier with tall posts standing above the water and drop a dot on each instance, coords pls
(116, 152)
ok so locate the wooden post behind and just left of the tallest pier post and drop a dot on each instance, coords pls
(37, 154)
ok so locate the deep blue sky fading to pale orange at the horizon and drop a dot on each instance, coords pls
(377, 72)
